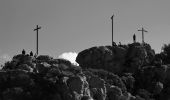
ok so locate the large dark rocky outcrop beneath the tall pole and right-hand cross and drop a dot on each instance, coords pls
(117, 59)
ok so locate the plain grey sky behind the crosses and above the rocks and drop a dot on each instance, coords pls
(75, 25)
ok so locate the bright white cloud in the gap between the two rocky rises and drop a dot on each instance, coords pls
(71, 56)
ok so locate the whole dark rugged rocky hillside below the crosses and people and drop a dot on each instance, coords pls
(124, 72)
